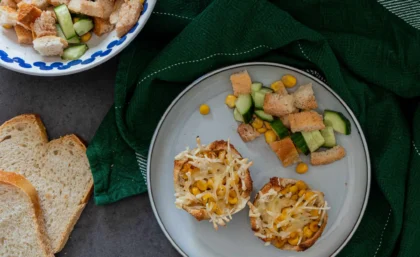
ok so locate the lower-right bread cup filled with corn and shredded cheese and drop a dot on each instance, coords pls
(288, 214)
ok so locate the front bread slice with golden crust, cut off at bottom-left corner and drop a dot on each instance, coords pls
(21, 223)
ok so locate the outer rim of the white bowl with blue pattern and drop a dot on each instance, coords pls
(40, 73)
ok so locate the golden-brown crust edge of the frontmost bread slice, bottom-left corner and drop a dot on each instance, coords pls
(23, 184)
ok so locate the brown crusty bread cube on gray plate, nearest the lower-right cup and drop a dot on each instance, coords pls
(285, 151)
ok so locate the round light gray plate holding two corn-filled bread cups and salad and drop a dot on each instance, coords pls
(345, 183)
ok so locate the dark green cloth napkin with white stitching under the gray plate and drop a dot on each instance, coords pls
(365, 51)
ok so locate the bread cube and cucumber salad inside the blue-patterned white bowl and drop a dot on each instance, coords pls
(62, 27)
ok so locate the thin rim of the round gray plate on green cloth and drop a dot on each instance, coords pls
(278, 65)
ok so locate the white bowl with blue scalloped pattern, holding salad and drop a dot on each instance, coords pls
(24, 59)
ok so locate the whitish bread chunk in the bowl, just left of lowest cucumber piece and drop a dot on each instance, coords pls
(50, 45)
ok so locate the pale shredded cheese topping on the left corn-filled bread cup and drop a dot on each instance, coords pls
(223, 167)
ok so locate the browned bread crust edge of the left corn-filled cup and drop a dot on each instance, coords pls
(214, 146)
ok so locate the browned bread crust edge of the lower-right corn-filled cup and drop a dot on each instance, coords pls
(279, 184)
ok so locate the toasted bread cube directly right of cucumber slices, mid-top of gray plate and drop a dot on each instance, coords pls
(278, 105)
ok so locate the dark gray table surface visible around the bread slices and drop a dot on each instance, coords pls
(77, 104)
